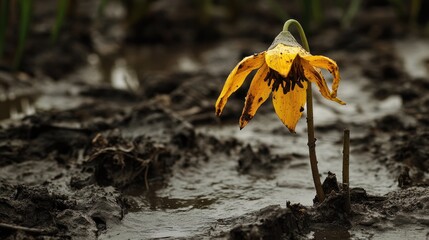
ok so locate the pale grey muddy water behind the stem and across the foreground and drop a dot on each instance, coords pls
(194, 199)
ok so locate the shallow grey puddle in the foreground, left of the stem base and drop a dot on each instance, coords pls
(200, 196)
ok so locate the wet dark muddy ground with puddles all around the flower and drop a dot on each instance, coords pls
(120, 141)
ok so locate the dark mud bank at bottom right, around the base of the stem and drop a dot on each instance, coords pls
(329, 218)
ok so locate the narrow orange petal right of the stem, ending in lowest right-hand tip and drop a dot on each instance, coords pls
(316, 77)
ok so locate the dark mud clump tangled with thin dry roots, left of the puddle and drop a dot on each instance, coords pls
(120, 163)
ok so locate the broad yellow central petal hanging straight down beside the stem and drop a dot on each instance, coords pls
(289, 107)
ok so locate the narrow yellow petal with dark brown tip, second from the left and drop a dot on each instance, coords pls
(257, 94)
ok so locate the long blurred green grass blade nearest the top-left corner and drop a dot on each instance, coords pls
(25, 7)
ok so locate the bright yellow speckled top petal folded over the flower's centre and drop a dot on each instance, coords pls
(280, 58)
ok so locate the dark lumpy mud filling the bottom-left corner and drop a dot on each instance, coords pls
(35, 212)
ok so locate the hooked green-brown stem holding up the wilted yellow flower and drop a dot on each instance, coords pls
(310, 125)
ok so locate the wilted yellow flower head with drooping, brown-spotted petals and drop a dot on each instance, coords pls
(283, 71)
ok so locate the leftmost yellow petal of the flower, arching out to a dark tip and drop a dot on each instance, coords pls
(237, 77)
